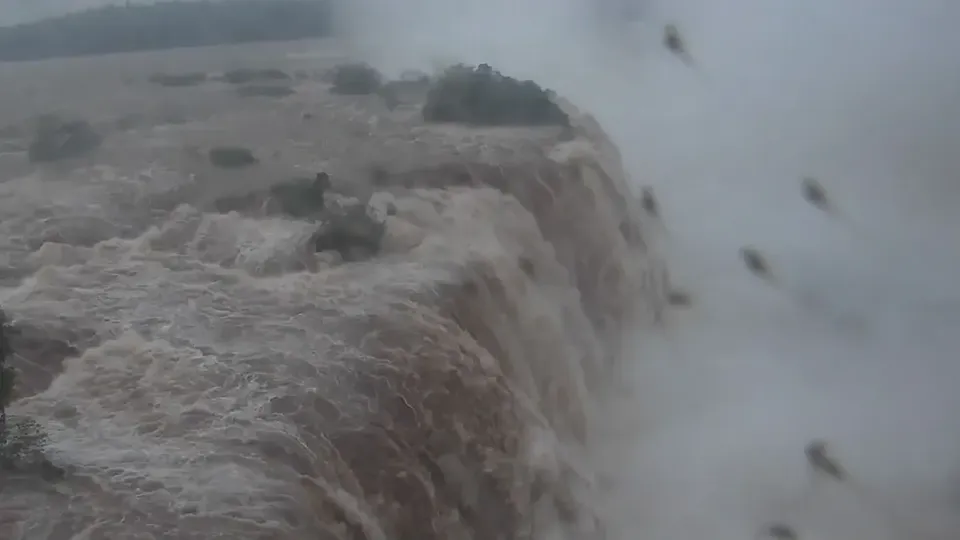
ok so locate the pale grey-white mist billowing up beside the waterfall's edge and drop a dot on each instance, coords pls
(856, 340)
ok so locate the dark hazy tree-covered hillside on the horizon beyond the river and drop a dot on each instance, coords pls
(165, 25)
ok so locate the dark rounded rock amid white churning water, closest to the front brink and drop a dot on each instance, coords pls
(350, 231)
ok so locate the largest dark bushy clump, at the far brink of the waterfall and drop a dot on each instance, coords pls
(482, 96)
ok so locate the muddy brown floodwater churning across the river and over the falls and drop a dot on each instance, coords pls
(205, 375)
